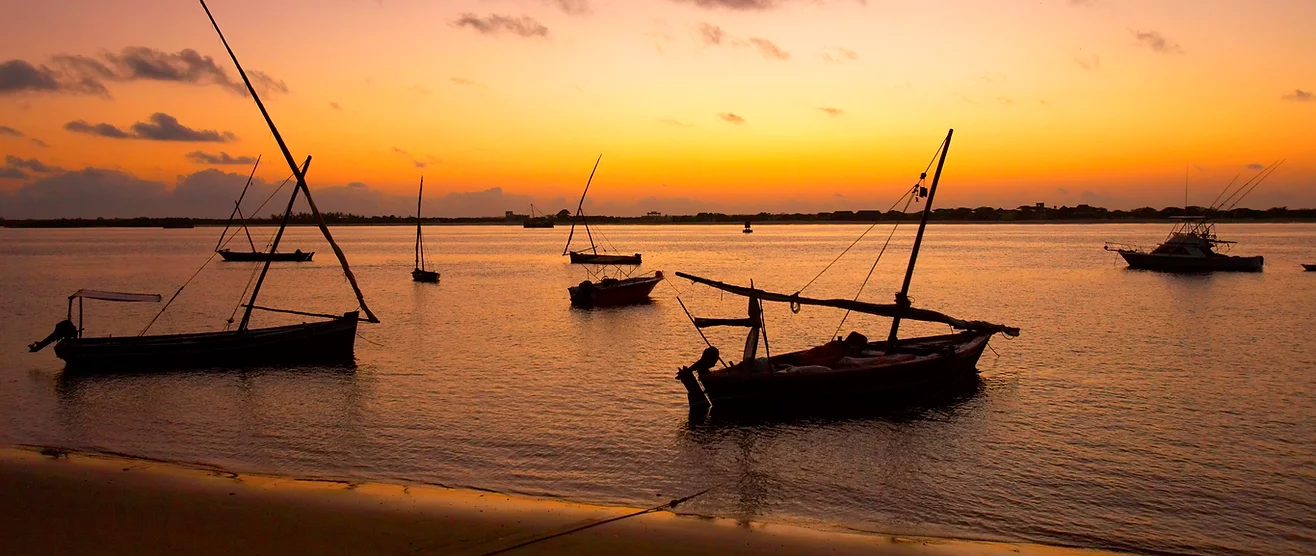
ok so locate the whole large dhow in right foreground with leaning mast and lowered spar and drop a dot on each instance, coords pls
(840, 370)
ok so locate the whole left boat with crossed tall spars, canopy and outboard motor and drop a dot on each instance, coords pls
(332, 341)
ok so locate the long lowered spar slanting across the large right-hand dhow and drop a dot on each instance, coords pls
(872, 309)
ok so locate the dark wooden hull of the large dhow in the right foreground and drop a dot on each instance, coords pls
(946, 362)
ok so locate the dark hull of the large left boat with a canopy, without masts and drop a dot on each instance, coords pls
(324, 342)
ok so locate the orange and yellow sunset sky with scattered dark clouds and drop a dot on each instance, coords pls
(796, 106)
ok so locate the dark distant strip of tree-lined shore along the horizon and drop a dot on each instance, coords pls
(1081, 214)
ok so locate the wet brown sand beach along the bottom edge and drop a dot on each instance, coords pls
(84, 504)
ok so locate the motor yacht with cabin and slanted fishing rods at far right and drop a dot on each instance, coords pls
(1193, 246)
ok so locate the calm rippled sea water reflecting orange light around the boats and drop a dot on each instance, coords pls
(1136, 412)
